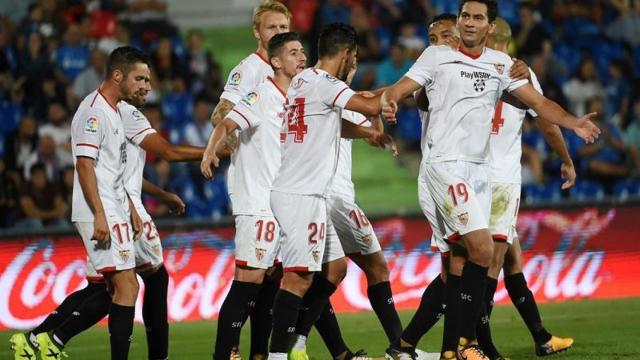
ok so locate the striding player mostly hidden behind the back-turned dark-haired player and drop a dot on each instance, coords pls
(358, 240)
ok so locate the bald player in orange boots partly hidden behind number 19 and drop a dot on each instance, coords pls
(505, 177)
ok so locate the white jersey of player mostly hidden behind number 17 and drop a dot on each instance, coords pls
(136, 128)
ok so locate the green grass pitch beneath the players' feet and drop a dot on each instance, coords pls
(604, 329)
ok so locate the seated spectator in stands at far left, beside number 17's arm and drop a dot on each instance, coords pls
(41, 201)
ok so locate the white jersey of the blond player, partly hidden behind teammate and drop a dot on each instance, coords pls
(246, 76)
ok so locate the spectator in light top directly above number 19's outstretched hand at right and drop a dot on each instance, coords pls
(583, 86)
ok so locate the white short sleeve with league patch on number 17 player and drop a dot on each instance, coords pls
(87, 132)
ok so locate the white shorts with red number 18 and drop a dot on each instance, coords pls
(257, 241)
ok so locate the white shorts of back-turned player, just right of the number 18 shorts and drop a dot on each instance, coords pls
(303, 227)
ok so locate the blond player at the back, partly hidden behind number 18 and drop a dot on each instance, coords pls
(270, 17)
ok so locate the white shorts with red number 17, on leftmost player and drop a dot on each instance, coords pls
(121, 253)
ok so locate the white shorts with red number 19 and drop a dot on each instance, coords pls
(462, 195)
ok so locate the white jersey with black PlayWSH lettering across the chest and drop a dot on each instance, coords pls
(462, 92)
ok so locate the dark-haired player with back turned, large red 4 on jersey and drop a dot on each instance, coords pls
(309, 160)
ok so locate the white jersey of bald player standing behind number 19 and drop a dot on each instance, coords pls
(506, 140)
